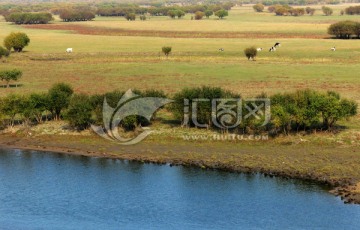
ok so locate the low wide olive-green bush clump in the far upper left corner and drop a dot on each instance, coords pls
(29, 18)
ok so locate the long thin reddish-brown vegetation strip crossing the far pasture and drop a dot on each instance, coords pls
(87, 30)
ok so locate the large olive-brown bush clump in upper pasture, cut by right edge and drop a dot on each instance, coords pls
(345, 29)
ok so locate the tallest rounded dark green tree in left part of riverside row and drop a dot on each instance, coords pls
(59, 97)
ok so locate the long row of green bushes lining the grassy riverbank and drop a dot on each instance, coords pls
(290, 112)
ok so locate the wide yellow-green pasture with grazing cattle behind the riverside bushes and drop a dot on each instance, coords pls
(103, 61)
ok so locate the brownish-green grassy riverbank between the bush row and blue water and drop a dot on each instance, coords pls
(333, 164)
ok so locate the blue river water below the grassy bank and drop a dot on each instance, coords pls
(55, 191)
